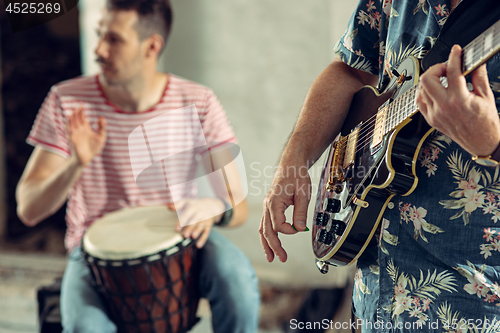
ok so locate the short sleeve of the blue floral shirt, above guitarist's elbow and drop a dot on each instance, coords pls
(360, 47)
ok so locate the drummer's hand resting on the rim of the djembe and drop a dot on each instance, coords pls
(193, 213)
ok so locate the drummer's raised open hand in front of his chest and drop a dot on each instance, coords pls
(86, 141)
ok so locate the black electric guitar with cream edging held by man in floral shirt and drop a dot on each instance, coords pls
(374, 157)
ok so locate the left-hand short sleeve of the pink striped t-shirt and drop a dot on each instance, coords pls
(49, 128)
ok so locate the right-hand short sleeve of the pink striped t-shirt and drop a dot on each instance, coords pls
(215, 123)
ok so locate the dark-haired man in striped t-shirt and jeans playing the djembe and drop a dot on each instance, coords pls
(81, 136)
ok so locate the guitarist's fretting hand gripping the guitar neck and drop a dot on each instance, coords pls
(470, 118)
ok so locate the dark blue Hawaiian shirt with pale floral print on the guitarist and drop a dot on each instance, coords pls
(437, 264)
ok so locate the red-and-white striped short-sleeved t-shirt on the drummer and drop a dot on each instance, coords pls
(108, 183)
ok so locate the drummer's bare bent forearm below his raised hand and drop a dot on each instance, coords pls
(39, 198)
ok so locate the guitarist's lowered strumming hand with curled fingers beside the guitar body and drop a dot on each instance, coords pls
(288, 188)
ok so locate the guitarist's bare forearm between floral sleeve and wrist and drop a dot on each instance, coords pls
(323, 113)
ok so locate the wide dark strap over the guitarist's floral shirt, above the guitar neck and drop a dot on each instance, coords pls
(466, 22)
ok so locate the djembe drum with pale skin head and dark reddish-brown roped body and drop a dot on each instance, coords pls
(146, 272)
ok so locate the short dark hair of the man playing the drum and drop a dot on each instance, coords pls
(154, 16)
